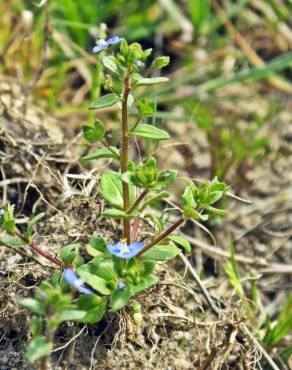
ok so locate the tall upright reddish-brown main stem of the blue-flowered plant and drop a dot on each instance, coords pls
(125, 156)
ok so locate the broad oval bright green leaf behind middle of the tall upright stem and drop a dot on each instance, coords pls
(112, 189)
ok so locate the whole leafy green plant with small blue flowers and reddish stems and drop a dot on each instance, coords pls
(114, 272)
